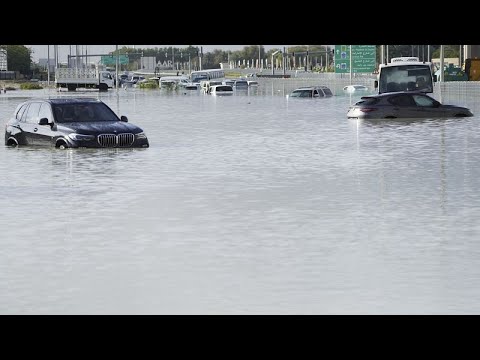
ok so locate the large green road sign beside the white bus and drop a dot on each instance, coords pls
(364, 59)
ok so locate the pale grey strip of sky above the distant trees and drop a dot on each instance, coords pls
(41, 51)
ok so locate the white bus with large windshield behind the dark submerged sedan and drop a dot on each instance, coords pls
(405, 74)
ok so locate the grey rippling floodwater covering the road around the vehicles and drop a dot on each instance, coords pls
(245, 204)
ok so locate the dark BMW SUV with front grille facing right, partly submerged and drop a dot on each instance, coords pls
(71, 123)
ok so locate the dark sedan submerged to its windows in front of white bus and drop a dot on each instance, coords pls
(403, 105)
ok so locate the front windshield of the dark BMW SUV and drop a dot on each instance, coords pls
(83, 112)
